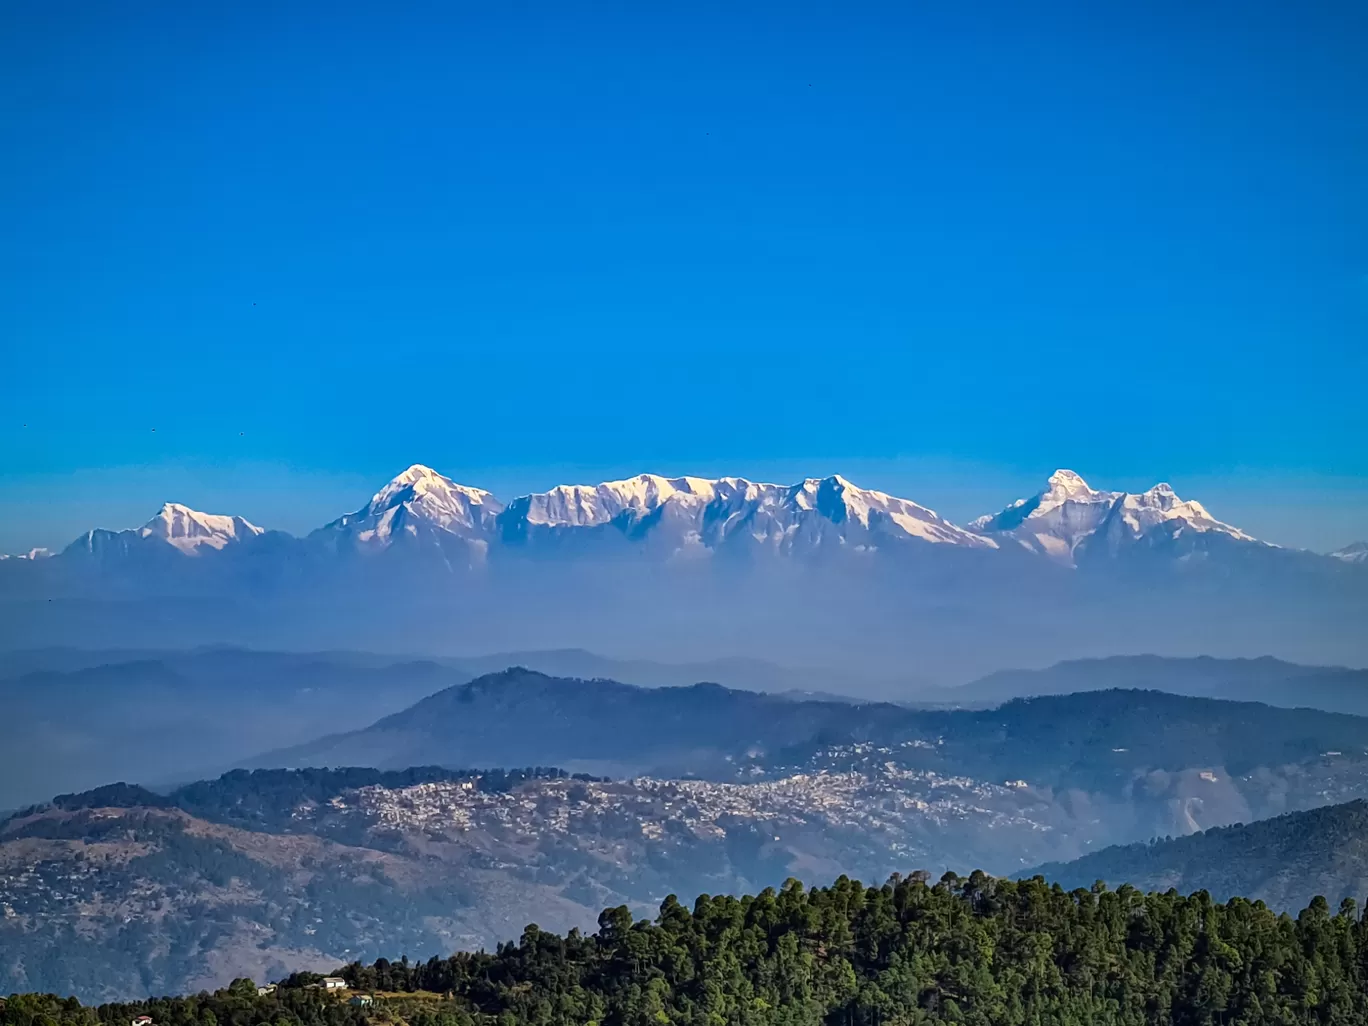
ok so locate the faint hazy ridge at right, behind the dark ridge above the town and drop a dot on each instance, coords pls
(1273, 682)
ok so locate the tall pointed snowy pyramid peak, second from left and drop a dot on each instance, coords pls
(417, 501)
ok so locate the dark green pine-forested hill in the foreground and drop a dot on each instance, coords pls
(964, 951)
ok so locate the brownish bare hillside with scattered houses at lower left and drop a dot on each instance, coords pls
(129, 902)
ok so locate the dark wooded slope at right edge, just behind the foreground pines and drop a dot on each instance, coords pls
(1285, 861)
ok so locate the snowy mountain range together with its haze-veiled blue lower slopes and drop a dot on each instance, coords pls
(785, 573)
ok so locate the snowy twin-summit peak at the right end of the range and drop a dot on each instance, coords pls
(1069, 514)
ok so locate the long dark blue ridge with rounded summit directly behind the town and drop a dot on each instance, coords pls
(1136, 750)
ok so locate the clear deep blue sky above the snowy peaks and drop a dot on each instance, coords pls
(261, 261)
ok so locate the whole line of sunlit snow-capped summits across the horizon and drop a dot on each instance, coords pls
(1054, 523)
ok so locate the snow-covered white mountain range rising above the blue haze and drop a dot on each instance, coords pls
(1066, 522)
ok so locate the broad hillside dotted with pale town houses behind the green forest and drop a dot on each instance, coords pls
(122, 893)
